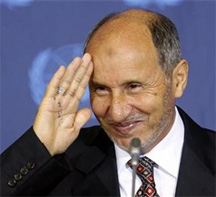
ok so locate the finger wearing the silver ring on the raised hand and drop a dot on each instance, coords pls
(65, 82)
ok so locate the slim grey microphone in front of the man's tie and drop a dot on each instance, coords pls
(135, 151)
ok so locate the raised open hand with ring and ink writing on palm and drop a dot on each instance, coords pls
(58, 121)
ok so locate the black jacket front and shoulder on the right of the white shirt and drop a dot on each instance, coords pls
(196, 174)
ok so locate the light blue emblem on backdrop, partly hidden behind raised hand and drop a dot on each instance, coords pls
(46, 63)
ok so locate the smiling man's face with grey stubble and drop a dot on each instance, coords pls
(130, 95)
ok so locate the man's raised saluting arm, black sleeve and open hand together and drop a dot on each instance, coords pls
(35, 163)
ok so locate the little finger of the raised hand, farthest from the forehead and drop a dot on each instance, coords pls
(54, 82)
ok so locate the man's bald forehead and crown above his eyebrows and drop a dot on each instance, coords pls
(122, 41)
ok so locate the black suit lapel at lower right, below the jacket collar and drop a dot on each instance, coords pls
(194, 178)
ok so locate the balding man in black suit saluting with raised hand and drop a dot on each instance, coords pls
(135, 68)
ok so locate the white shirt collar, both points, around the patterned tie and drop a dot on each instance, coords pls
(166, 154)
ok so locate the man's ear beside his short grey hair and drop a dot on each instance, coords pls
(179, 78)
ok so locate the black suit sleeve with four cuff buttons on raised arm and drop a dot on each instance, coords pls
(28, 169)
